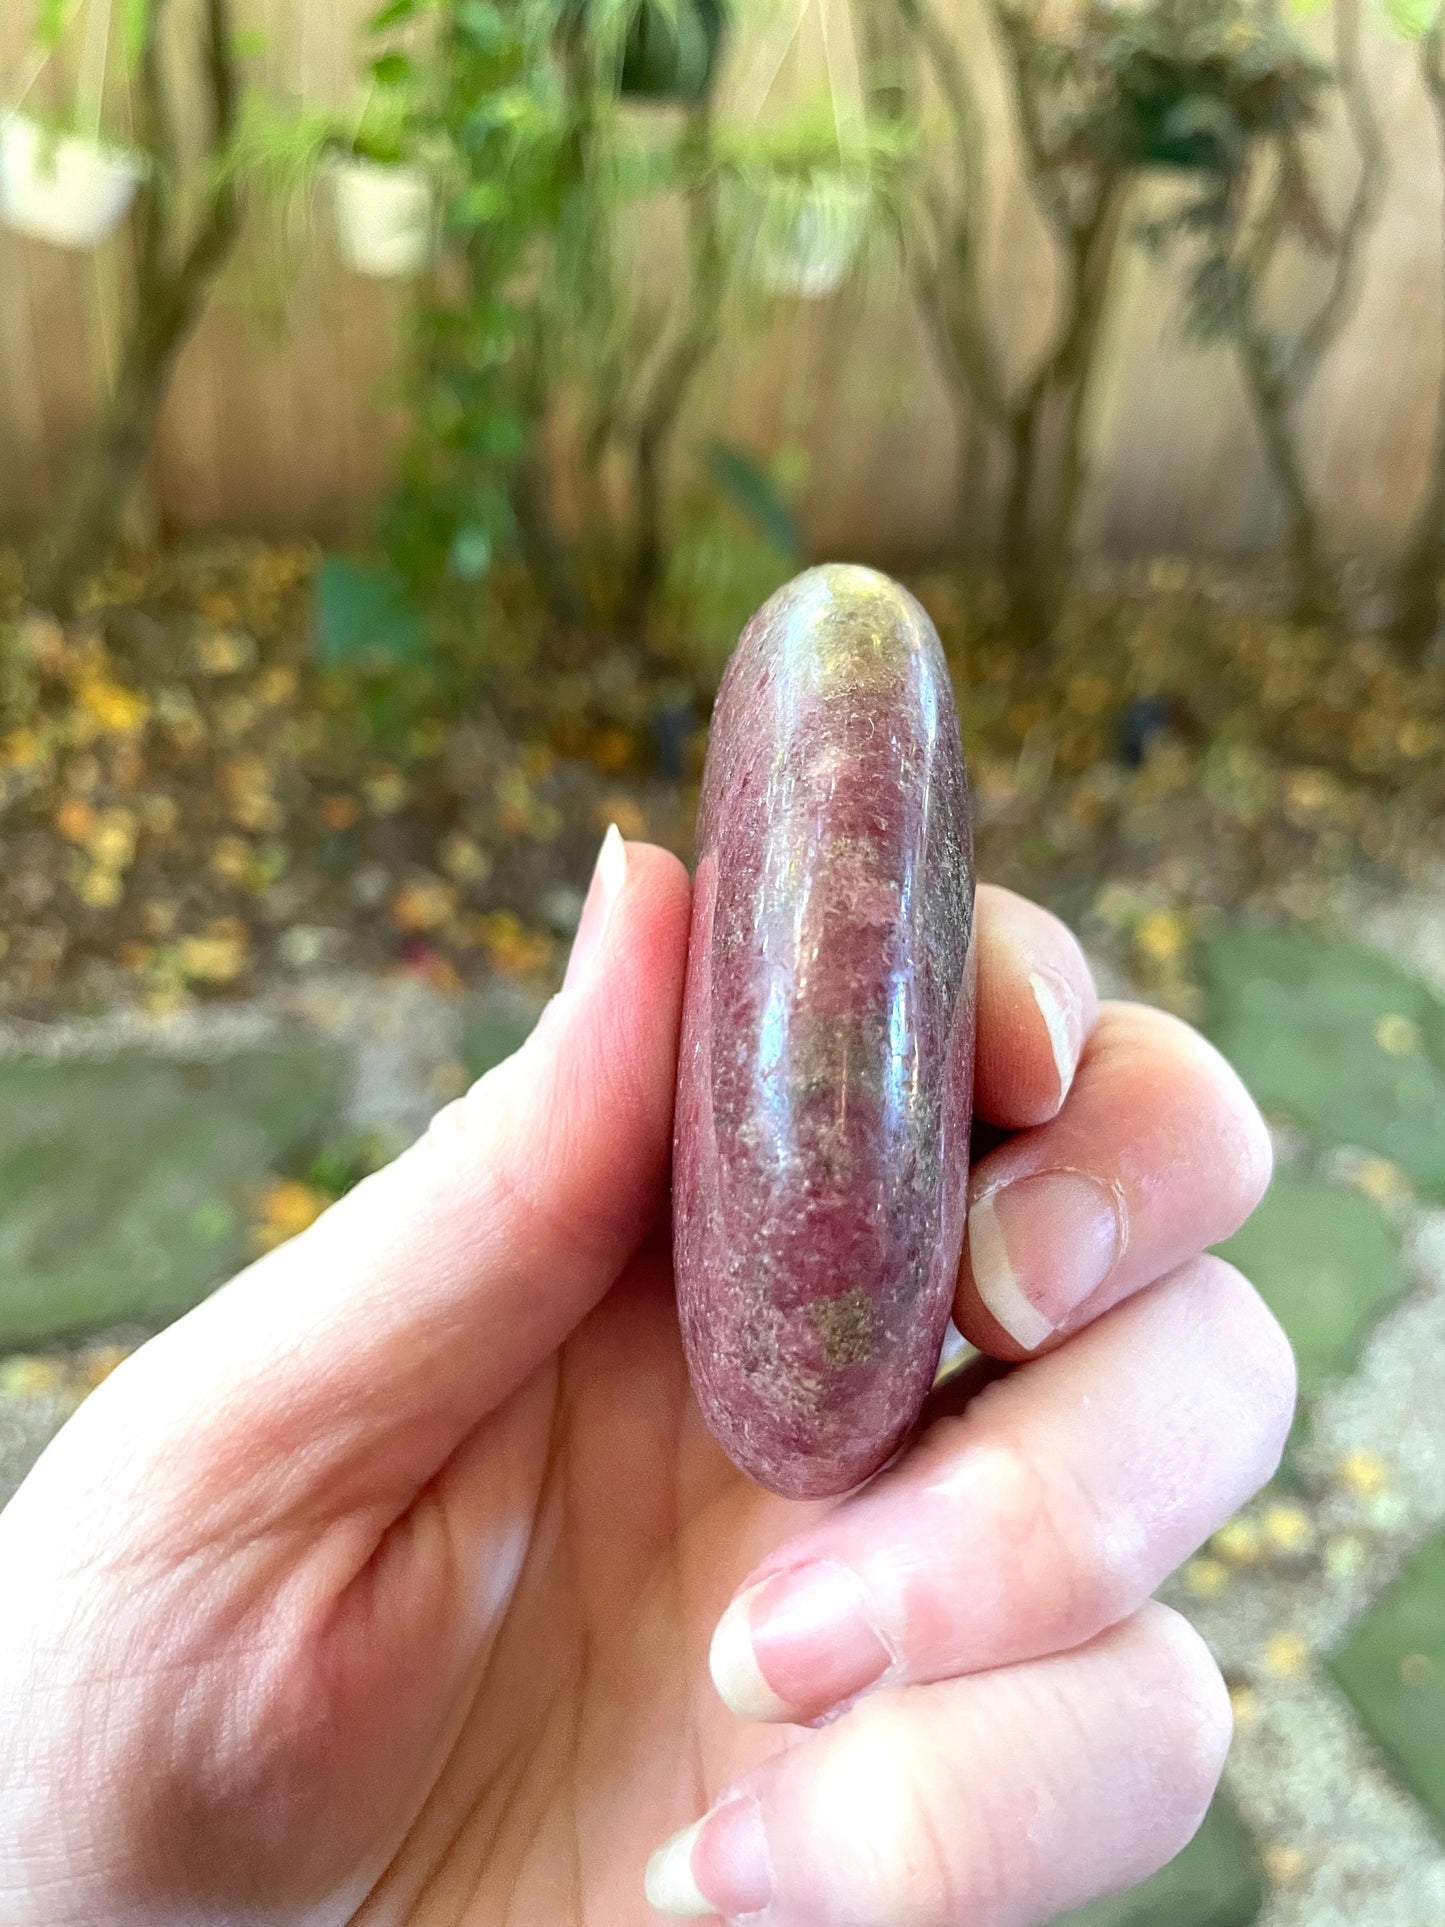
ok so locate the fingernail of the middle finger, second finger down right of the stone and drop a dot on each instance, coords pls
(1041, 1246)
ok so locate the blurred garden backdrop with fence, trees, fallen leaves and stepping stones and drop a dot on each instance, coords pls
(400, 413)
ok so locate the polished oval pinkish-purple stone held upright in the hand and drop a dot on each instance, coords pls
(828, 1043)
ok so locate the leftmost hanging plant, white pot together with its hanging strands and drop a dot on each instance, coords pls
(65, 184)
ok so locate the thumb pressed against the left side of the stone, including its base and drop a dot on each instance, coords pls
(357, 1358)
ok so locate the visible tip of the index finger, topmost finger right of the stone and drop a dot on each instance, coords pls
(1038, 1009)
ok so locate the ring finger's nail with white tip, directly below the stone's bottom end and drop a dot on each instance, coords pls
(799, 1645)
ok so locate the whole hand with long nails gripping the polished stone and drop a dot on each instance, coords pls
(381, 1589)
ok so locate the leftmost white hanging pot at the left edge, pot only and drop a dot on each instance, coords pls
(65, 188)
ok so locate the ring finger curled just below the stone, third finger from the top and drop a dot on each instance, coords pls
(1049, 1512)
